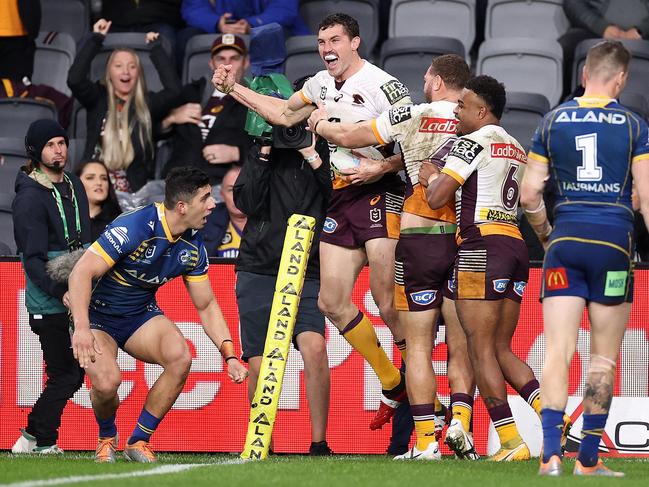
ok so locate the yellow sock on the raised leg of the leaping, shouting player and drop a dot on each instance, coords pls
(361, 335)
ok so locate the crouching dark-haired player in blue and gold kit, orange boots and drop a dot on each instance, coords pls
(136, 254)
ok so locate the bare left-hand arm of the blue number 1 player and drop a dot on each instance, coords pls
(534, 179)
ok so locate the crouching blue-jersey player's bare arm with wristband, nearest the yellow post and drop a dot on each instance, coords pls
(215, 326)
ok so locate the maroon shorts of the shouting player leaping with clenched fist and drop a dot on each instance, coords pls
(357, 214)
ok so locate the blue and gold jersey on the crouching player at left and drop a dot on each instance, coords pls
(142, 256)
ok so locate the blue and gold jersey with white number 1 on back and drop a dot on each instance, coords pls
(590, 144)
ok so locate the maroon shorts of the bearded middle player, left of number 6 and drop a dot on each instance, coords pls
(423, 267)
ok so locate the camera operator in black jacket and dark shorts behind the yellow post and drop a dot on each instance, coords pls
(271, 187)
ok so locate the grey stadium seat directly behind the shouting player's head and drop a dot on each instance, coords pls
(365, 11)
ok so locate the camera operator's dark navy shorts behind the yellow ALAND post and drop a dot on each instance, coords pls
(255, 299)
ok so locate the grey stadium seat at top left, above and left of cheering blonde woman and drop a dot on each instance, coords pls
(70, 16)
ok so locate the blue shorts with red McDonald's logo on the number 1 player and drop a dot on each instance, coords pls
(589, 261)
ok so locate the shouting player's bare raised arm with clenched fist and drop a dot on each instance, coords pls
(275, 110)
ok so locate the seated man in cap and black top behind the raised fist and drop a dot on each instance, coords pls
(209, 128)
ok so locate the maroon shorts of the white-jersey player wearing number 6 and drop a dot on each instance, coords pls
(491, 267)
